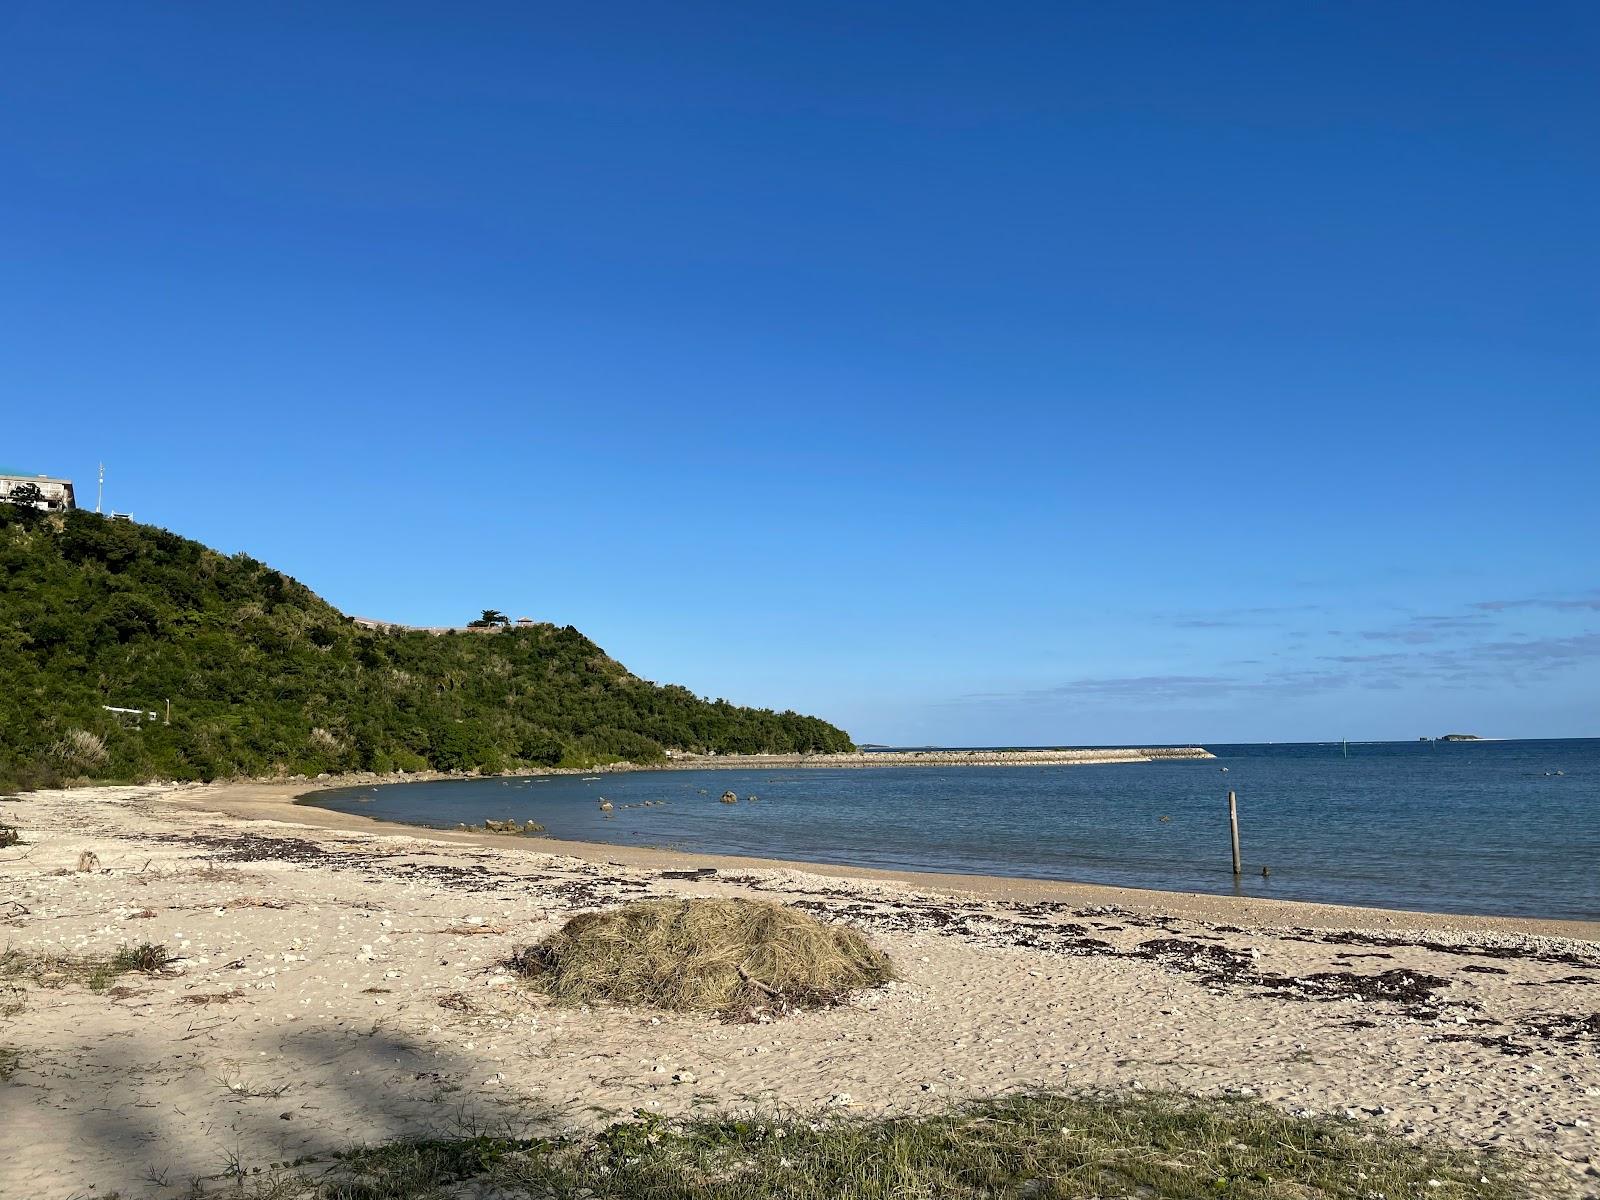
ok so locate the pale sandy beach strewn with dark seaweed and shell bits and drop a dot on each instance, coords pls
(343, 982)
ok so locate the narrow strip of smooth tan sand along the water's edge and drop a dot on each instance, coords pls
(290, 804)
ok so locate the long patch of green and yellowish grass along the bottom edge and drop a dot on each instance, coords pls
(1036, 1146)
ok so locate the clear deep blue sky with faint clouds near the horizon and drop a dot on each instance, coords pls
(964, 374)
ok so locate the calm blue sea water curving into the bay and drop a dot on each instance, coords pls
(1484, 828)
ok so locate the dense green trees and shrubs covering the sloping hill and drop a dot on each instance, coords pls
(268, 679)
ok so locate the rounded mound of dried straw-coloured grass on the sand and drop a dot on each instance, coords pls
(737, 958)
